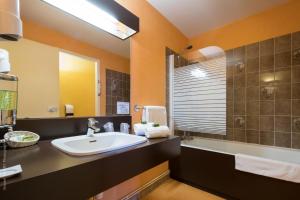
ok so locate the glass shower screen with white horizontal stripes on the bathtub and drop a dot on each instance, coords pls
(197, 94)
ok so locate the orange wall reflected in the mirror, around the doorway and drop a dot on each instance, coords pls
(40, 33)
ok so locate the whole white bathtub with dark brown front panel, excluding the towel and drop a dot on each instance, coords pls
(210, 165)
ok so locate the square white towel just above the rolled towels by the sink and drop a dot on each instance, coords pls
(155, 114)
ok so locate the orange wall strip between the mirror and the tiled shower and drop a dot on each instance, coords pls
(147, 56)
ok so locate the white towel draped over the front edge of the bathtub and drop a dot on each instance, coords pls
(267, 167)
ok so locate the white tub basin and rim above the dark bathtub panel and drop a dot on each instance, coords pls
(232, 148)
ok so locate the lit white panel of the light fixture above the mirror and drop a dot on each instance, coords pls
(98, 13)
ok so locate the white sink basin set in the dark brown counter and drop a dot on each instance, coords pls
(102, 142)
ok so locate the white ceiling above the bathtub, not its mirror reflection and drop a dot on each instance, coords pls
(193, 17)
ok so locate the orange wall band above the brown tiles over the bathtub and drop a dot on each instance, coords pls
(276, 21)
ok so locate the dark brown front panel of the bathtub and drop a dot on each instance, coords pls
(228, 182)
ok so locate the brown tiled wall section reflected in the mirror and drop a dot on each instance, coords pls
(117, 89)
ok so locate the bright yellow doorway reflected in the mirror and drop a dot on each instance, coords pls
(79, 83)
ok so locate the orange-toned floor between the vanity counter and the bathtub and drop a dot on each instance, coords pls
(174, 190)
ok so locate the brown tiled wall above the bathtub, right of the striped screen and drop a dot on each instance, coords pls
(263, 93)
